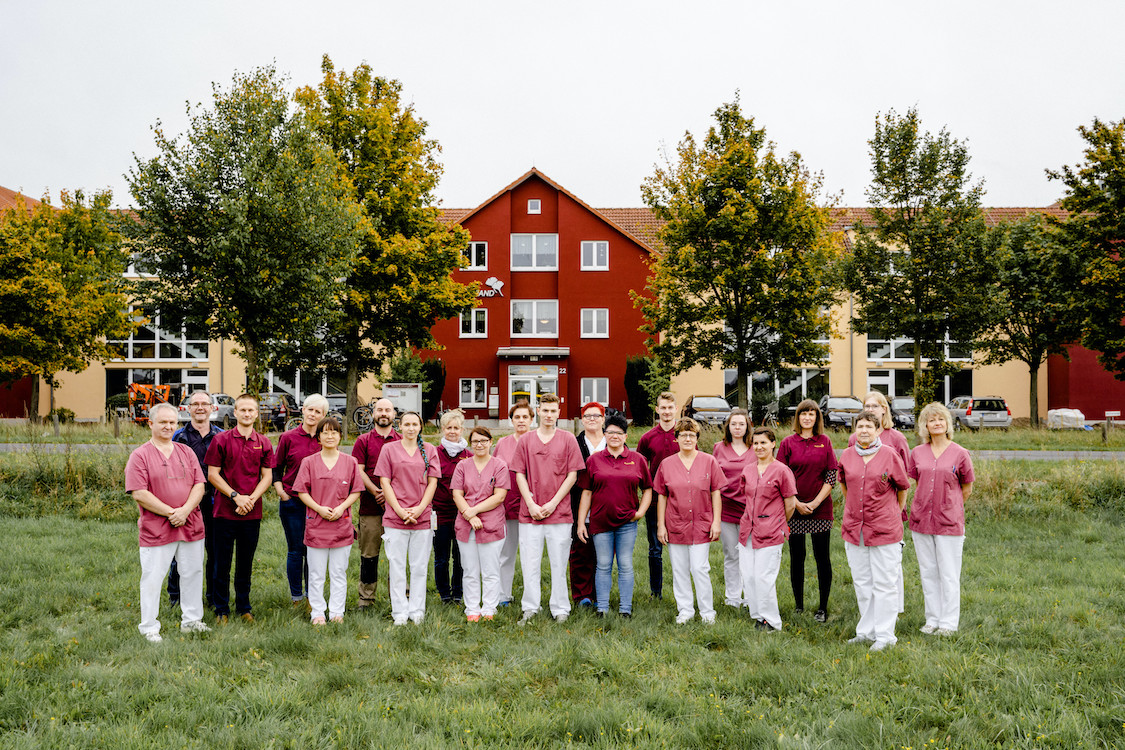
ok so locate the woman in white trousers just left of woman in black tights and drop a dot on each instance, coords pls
(770, 493)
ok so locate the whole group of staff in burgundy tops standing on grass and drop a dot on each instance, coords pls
(581, 498)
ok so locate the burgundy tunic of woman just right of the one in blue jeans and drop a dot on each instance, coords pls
(688, 514)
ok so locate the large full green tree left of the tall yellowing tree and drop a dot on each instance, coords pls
(248, 223)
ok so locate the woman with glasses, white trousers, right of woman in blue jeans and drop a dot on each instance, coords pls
(689, 518)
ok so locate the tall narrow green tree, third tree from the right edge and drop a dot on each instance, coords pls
(925, 270)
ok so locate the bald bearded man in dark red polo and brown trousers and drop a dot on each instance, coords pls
(372, 505)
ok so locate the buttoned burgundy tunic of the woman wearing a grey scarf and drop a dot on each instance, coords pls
(872, 504)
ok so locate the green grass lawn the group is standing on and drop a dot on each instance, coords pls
(1039, 661)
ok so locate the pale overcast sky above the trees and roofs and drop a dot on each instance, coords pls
(590, 93)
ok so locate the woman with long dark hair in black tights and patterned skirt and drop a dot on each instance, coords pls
(811, 456)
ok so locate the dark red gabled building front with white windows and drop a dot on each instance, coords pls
(555, 313)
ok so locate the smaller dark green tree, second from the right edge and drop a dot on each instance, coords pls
(1036, 277)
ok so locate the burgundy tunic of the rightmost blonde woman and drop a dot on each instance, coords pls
(939, 504)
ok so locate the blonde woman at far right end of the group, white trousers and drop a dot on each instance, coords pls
(943, 473)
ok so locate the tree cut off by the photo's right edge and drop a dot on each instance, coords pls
(1096, 231)
